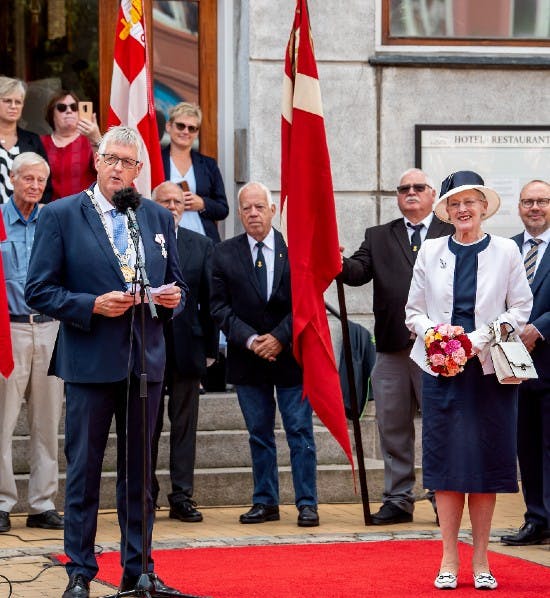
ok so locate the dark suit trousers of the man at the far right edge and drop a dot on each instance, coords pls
(534, 450)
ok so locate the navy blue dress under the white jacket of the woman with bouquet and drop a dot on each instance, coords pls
(468, 420)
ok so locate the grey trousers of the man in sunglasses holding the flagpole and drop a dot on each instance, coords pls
(397, 388)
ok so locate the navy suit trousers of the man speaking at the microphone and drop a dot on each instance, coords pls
(90, 410)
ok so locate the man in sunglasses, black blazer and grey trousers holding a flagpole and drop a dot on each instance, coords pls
(386, 257)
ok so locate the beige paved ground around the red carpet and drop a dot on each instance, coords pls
(24, 552)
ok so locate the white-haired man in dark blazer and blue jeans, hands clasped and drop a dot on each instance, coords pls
(251, 302)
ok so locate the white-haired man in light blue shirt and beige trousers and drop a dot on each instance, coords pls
(33, 337)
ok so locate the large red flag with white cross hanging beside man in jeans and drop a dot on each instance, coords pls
(309, 216)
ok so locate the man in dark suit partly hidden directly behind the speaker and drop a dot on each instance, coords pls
(191, 345)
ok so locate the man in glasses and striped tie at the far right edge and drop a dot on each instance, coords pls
(534, 395)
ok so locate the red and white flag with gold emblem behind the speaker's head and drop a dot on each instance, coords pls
(132, 93)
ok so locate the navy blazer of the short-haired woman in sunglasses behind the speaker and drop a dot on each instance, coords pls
(209, 187)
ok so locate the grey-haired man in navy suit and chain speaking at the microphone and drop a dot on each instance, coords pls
(80, 269)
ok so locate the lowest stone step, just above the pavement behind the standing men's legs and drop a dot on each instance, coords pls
(233, 486)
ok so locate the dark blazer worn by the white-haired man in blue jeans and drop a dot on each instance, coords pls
(240, 311)
